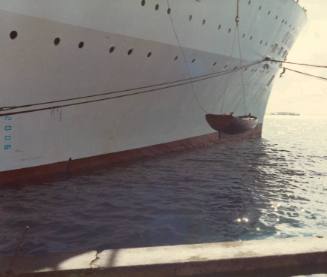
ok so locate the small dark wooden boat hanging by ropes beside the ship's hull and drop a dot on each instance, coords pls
(229, 124)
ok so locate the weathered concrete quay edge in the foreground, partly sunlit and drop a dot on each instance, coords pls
(253, 258)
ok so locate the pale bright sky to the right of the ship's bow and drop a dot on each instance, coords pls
(297, 93)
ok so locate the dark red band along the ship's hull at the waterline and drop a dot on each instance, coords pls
(67, 169)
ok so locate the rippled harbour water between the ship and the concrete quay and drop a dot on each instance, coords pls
(270, 187)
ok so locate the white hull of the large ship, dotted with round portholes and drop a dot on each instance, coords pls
(148, 96)
